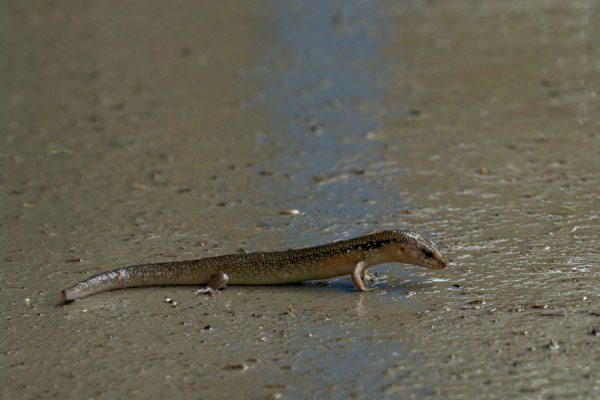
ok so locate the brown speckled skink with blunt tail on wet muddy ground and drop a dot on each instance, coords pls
(352, 256)
